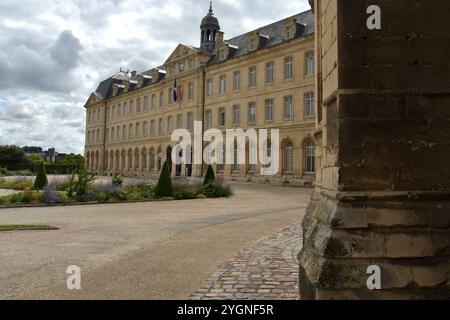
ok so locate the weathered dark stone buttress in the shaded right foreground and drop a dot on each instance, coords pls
(382, 194)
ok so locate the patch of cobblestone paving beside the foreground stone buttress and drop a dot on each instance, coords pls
(267, 270)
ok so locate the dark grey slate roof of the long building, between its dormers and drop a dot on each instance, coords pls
(238, 47)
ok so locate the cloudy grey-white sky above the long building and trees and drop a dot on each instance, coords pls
(53, 53)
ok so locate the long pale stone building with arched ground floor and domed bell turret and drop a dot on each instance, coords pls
(262, 79)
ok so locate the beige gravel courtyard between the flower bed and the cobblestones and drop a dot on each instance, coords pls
(157, 250)
